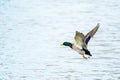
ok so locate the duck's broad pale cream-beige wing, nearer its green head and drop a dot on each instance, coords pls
(79, 39)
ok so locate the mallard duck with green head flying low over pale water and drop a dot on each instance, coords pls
(81, 42)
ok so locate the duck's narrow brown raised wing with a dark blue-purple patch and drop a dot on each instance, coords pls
(91, 34)
